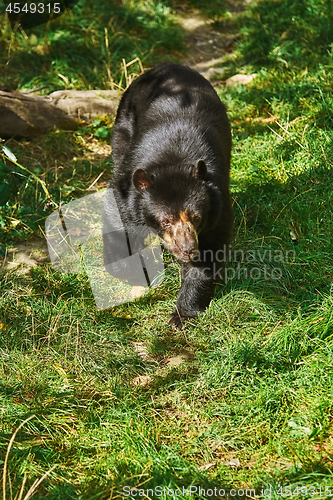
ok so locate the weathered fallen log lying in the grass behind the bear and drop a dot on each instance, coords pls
(22, 115)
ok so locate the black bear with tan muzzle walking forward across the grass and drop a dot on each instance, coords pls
(171, 150)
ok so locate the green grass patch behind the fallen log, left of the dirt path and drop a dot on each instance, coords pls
(81, 50)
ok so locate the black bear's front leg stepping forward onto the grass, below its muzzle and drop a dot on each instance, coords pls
(195, 294)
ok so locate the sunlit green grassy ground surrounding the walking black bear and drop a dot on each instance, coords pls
(108, 404)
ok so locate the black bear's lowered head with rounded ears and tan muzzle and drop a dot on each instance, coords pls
(175, 204)
